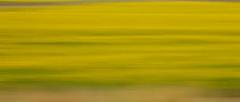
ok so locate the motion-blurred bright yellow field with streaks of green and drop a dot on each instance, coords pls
(121, 44)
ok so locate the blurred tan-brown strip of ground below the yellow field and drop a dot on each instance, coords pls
(120, 95)
